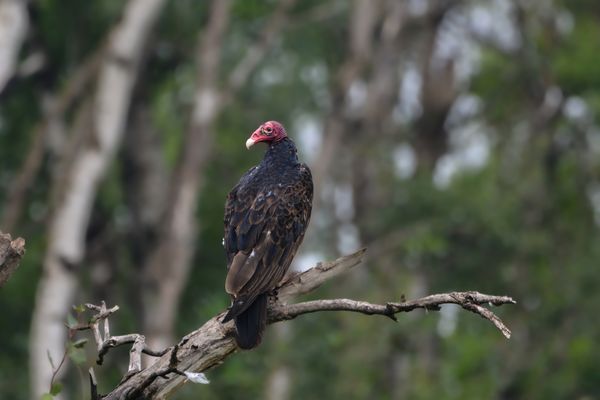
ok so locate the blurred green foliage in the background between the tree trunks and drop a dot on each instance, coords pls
(523, 224)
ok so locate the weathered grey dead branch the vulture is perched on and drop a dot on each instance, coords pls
(210, 345)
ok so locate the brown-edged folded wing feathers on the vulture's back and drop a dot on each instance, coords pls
(263, 230)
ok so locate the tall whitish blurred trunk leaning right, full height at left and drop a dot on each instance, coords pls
(106, 115)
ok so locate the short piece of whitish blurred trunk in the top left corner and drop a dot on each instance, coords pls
(13, 27)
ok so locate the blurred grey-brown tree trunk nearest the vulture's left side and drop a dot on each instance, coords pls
(168, 266)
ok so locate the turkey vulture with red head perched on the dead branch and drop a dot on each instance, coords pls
(266, 215)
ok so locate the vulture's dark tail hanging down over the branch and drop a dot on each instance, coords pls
(251, 323)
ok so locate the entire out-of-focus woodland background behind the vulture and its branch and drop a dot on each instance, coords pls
(457, 140)
